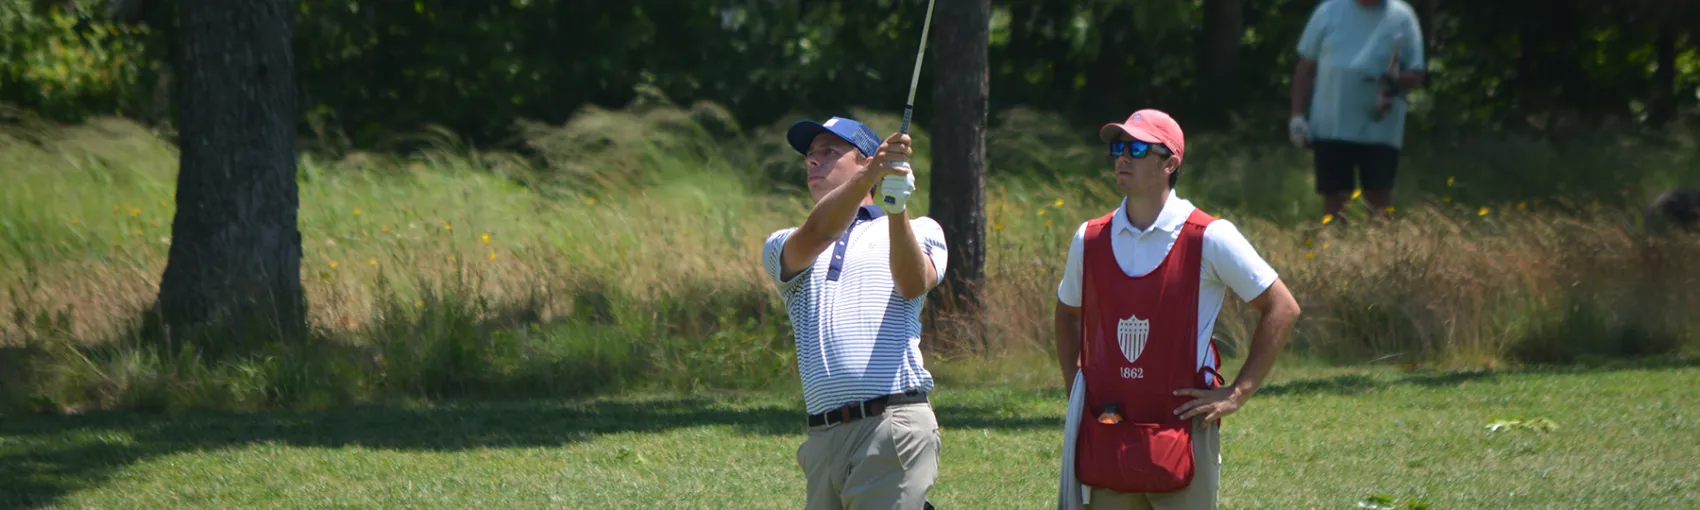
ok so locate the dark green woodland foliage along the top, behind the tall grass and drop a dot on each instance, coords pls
(370, 74)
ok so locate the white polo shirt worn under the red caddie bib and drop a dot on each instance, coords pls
(1230, 263)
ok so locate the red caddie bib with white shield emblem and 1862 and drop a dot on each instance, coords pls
(1140, 343)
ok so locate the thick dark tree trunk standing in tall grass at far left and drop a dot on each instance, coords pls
(234, 275)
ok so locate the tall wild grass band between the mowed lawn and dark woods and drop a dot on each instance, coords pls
(623, 252)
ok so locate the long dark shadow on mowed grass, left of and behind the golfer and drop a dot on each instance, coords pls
(47, 458)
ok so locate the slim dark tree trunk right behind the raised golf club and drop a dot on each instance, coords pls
(961, 91)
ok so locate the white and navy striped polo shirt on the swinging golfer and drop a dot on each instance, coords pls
(858, 337)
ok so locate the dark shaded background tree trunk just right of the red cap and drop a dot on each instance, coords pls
(1220, 54)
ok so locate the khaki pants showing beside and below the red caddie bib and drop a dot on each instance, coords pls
(1199, 496)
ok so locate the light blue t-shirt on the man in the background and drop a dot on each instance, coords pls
(1351, 45)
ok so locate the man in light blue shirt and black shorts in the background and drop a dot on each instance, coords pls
(1357, 59)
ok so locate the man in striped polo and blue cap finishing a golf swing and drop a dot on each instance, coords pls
(854, 280)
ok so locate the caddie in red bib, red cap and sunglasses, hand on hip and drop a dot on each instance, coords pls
(1136, 307)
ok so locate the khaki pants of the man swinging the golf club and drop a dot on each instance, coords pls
(887, 462)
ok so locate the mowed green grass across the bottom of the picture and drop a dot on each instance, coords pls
(1317, 438)
